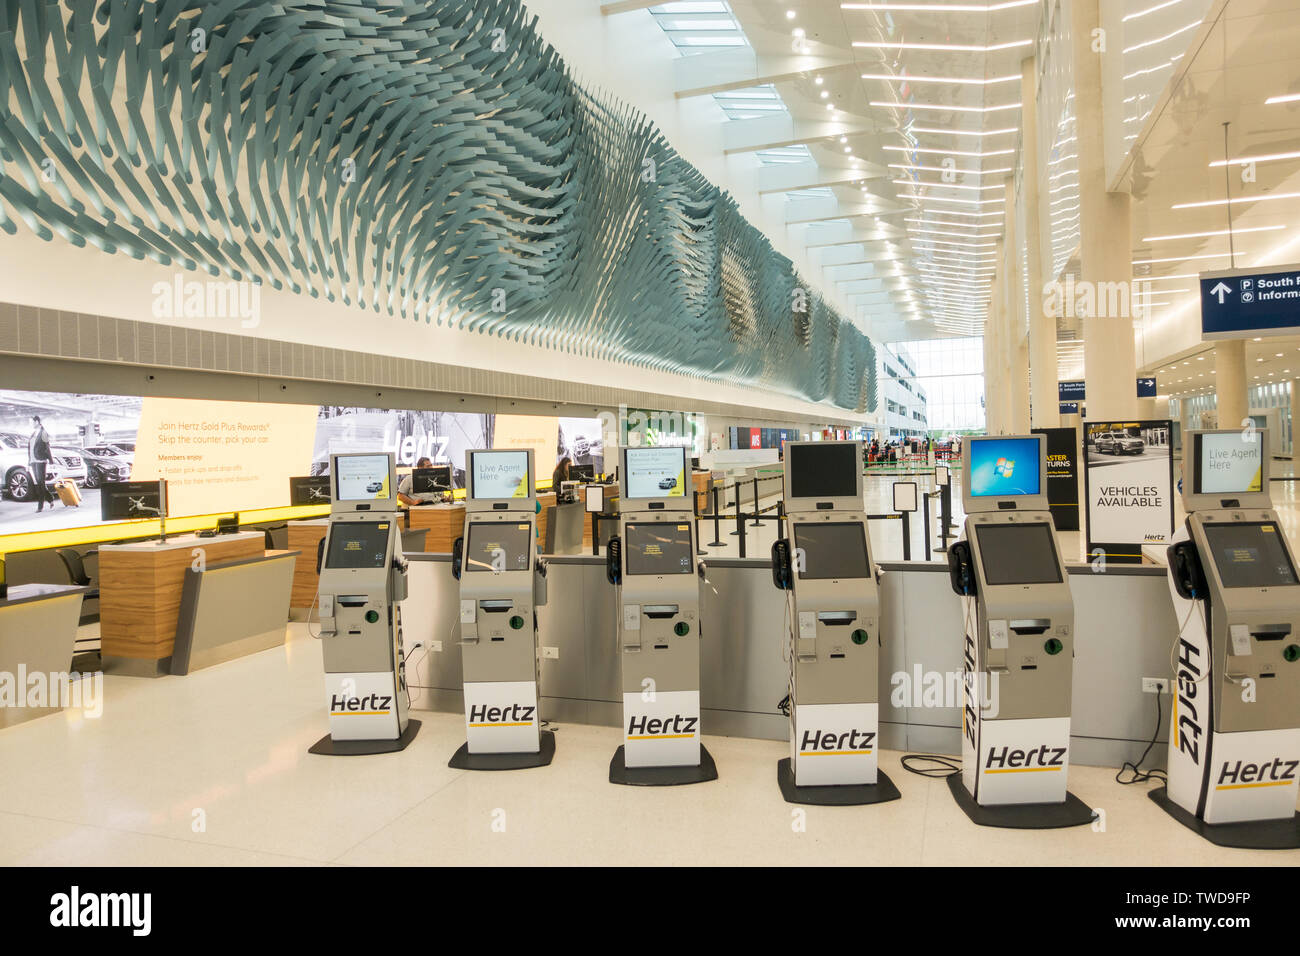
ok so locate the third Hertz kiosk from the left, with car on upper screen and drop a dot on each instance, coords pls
(653, 566)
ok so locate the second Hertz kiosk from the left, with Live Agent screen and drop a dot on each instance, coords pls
(502, 583)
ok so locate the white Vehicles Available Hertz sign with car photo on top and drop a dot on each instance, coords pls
(1129, 482)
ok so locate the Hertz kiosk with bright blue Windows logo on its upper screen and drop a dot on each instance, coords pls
(1019, 642)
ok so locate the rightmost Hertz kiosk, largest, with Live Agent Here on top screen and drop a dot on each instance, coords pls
(1234, 743)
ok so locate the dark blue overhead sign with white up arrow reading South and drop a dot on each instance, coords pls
(1237, 304)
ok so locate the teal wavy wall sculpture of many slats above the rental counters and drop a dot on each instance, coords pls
(432, 159)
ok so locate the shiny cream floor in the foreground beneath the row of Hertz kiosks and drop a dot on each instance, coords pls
(213, 769)
